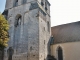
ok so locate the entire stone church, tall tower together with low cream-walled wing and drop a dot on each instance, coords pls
(31, 35)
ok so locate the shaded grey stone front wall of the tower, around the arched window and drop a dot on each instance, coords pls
(26, 46)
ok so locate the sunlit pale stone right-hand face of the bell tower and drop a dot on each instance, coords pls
(44, 36)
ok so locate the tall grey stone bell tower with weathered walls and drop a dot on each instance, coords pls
(29, 28)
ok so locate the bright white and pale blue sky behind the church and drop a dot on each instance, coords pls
(62, 11)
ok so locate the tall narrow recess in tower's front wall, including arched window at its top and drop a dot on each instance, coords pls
(17, 32)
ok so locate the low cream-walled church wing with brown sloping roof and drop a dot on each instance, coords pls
(65, 41)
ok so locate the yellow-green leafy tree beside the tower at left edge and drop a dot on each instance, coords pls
(4, 36)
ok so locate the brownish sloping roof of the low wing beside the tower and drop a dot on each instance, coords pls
(66, 33)
